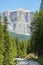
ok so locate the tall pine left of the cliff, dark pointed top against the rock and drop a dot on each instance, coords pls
(7, 44)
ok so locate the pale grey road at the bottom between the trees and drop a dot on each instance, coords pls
(27, 62)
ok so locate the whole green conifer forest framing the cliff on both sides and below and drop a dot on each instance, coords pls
(11, 47)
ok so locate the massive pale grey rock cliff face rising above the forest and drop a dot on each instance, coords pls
(19, 20)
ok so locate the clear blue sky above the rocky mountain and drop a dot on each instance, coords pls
(32, 5)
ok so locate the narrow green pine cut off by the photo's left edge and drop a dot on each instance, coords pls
(1, 42)
